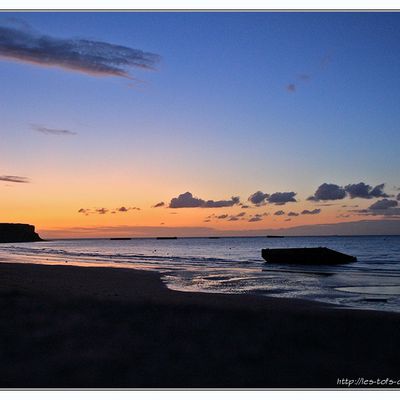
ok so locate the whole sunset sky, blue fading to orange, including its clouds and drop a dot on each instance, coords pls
(228, 122)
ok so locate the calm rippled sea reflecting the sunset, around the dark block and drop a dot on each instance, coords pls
(234, 265)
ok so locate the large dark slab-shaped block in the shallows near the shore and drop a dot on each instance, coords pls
(311, 255)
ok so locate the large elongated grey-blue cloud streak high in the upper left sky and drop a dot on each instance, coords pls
(80, 55)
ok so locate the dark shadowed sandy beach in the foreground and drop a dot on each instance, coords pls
(64, 326)
